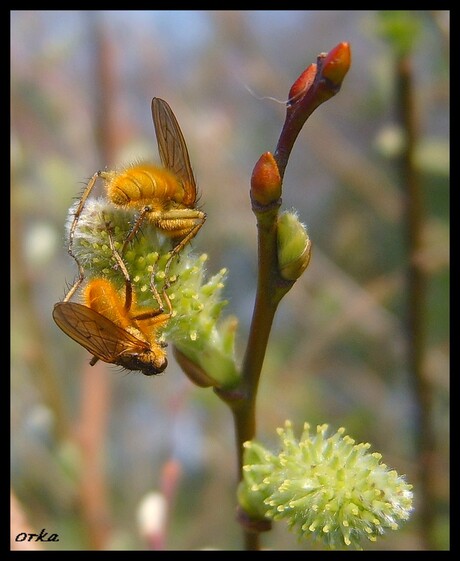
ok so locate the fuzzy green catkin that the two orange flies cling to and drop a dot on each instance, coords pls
(195, 328)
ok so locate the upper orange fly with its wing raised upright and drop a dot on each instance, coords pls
(165, 196)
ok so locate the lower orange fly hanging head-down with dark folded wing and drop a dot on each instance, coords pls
(112, 330)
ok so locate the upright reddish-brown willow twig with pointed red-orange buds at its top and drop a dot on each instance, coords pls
(318, 83)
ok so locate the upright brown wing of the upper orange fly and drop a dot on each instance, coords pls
(172, 148)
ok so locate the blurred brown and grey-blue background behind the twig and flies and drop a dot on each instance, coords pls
(91, 444)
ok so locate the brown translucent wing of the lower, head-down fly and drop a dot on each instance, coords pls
(97, 334)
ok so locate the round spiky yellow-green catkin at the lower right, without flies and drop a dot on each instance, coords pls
(327, 488)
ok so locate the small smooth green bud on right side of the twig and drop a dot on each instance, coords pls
(294, 246)
